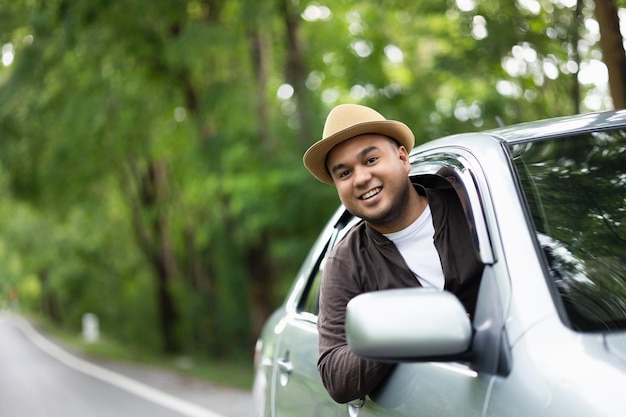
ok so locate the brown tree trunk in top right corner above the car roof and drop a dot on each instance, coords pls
(611, 44)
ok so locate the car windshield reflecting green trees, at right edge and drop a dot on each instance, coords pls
(575, 190)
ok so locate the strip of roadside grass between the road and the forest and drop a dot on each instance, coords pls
(234, 372)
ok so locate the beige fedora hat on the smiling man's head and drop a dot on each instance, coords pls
(345, 122)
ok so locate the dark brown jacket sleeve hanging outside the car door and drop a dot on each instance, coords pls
(345, 375)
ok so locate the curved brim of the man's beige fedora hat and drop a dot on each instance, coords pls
(315, 157)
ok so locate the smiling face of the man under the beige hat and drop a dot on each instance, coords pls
(371, 175)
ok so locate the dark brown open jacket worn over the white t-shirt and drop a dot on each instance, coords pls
(365, 260)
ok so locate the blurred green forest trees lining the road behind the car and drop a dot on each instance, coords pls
(150, 151)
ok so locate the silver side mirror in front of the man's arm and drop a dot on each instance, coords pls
(407, 324)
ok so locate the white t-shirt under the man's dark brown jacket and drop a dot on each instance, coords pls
(417, 246)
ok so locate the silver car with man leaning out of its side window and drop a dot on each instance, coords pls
(546, 204)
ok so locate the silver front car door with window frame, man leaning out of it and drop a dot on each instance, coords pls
(448, 388)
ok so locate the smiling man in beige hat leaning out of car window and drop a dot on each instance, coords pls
(410, 236)
